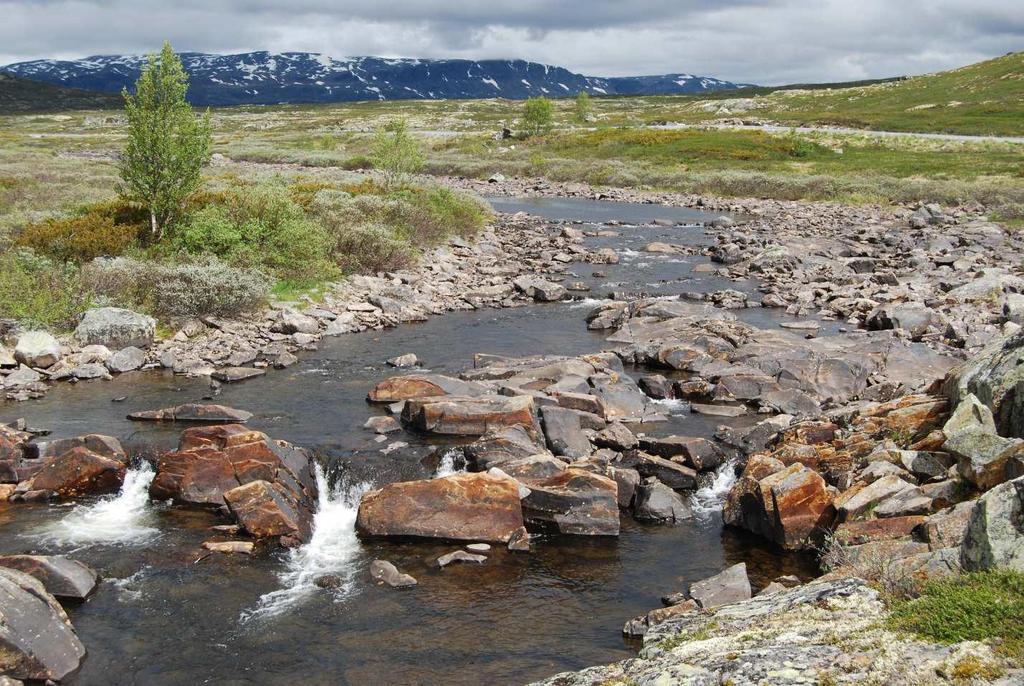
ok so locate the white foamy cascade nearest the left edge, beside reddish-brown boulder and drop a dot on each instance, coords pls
(119, 521)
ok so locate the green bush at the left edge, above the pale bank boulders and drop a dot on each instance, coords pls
(39, 292)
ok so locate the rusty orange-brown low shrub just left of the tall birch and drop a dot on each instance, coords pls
(107, 229)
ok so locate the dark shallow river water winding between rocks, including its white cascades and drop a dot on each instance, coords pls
(166, 615)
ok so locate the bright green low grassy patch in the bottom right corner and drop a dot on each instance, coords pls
(970, 608)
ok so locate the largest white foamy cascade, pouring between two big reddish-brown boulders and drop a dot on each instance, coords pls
(332, 549)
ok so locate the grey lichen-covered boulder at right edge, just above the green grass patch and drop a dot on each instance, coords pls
(995, 536)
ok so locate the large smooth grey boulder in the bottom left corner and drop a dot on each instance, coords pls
(37, 641)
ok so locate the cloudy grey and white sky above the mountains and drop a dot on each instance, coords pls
(760, 41)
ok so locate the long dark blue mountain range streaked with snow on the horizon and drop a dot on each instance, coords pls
(265, 78)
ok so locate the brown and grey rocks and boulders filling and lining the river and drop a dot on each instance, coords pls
(877, 419)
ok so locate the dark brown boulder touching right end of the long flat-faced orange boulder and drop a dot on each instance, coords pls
(575, 501)
